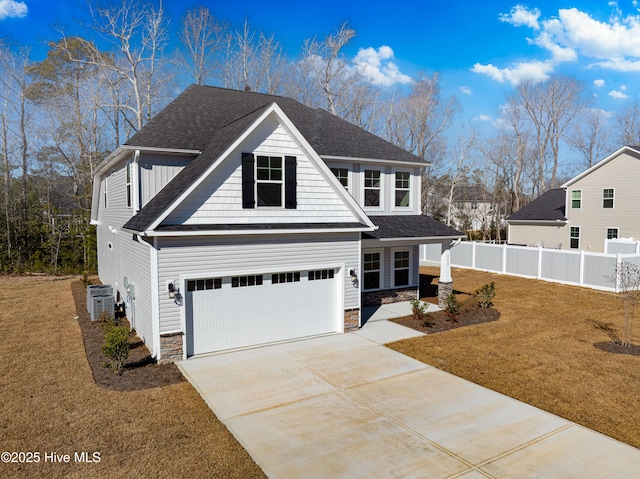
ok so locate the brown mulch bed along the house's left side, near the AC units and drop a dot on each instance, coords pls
(141, 371)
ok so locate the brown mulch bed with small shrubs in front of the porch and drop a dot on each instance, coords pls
(470, 314)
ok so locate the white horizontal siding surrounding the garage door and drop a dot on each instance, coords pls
(208, 256)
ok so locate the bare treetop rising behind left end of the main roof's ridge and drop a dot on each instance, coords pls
(202, 37)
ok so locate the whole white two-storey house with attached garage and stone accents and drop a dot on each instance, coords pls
(235, 218)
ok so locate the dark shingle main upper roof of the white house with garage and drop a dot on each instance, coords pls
(209, 119)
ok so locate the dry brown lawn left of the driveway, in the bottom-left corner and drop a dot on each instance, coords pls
(50, 403)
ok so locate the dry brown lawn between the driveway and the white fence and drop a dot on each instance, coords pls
(541, 351)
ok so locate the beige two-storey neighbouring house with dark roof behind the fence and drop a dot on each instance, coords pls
(598, 204)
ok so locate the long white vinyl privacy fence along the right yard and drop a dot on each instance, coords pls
(579, 268)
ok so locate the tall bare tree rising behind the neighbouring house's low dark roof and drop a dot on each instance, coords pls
(551, 107)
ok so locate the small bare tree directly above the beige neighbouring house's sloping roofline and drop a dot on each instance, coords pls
(590, 137)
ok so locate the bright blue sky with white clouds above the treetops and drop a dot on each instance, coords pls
(480, 49)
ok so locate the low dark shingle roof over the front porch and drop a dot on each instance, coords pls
(408, 226)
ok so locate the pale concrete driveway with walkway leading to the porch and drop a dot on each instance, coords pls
(344, 406)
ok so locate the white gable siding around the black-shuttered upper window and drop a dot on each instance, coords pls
(219, 198)
